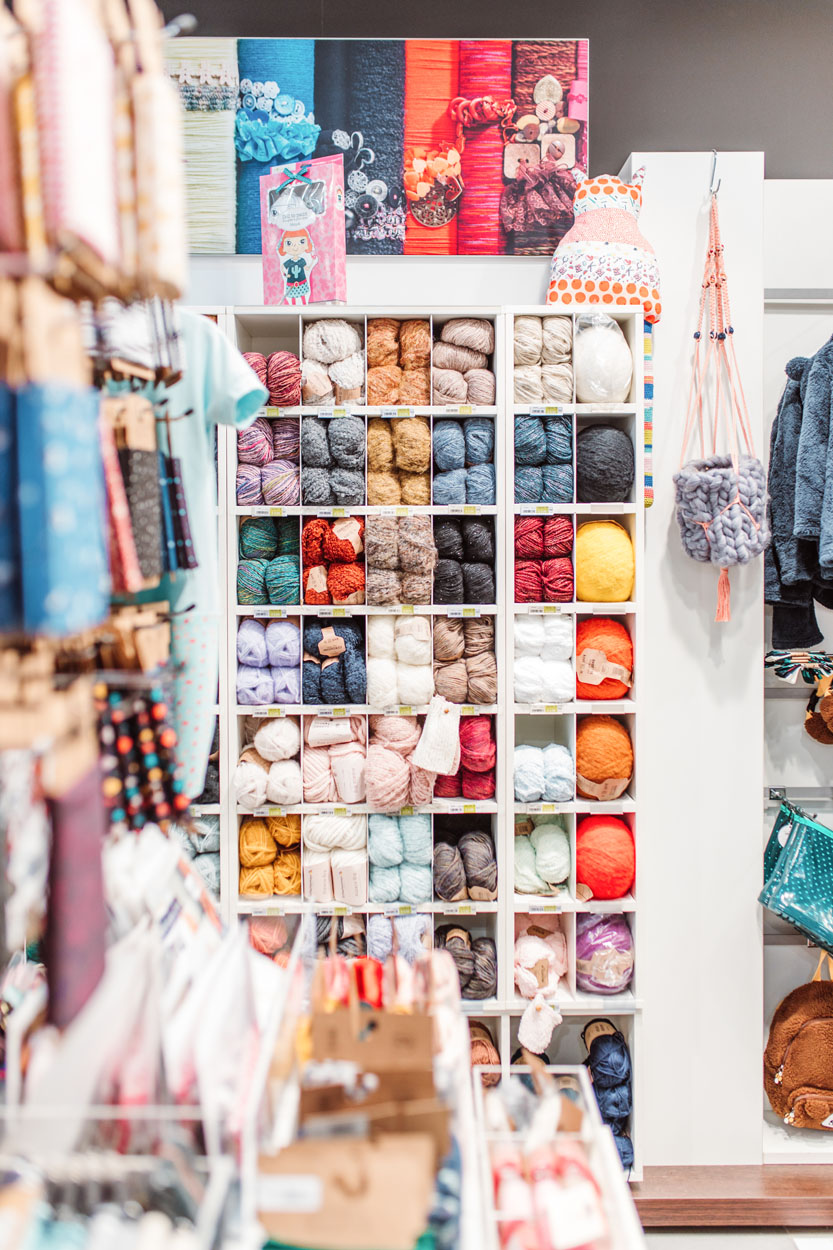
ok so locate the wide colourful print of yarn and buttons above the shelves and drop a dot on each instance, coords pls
(448, 147)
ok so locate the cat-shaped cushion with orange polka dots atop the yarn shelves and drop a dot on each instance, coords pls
(606, 259)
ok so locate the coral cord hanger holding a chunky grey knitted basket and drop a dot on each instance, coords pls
(721, 499)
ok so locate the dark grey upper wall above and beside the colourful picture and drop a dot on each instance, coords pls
(666, 76)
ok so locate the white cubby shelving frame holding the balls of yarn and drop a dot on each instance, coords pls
(265, 329)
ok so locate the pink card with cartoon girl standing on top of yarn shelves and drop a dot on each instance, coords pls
(302, 222)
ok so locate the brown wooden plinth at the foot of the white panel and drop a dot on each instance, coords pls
(767, 1197)
